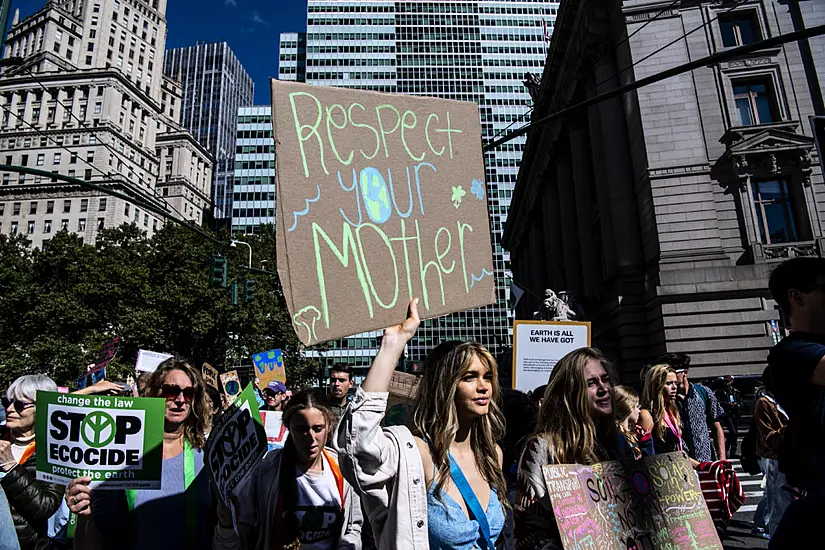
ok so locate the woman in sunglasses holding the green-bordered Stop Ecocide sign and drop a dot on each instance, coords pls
(182, 509)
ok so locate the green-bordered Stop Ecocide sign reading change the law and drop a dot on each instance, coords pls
(117, 441)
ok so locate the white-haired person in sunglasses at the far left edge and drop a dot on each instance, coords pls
(32, 502)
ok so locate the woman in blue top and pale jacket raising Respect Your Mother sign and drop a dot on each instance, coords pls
(439, 485)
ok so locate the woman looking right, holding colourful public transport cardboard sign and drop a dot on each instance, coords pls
(576, 425)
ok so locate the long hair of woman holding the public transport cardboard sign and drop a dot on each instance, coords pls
(566, 422)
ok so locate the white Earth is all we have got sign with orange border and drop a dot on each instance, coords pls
(538, 346)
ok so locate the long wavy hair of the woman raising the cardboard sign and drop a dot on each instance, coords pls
(435, 417)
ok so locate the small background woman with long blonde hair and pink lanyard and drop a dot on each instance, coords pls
(660, 415)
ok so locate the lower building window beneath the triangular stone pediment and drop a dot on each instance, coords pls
(774, 212)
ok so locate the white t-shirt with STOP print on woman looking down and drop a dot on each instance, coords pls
(318, 509)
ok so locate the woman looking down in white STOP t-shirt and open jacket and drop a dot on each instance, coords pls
(296, 497)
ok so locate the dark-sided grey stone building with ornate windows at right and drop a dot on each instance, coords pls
(664, 210)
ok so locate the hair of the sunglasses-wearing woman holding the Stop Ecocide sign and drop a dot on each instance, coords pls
(199, 420)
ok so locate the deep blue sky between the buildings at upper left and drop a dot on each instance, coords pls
(251, 27)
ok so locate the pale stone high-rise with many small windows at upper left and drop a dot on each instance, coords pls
(88, 99)
